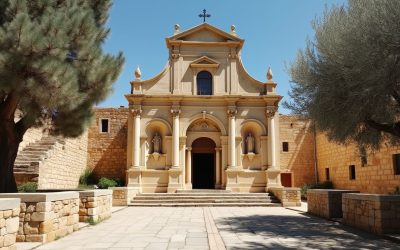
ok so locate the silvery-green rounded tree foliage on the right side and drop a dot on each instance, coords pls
(347, 79)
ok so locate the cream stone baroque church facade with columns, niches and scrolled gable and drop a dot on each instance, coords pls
(203, 122)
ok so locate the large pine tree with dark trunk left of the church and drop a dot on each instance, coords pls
(52, 67)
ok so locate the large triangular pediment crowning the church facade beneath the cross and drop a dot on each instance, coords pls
(205, 33)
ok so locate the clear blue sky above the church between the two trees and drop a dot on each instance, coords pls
(274, 30)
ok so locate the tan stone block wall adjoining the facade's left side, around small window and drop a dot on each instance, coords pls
(107, 152)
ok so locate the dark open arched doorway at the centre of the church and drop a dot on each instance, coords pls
(203, 162)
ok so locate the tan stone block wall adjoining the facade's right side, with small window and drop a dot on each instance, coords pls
(299, 160)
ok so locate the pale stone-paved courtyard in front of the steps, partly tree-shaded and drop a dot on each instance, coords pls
(217, 228)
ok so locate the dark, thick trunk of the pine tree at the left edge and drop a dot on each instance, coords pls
(10, 138)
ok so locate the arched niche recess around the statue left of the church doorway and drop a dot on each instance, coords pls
(163, 128)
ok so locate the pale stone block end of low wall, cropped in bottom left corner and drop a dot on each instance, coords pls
(9, 222)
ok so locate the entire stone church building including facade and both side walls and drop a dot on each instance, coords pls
(203, 123)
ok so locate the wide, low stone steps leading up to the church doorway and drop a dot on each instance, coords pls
(204, 198)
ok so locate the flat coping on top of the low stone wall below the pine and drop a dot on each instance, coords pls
(42, 197)
